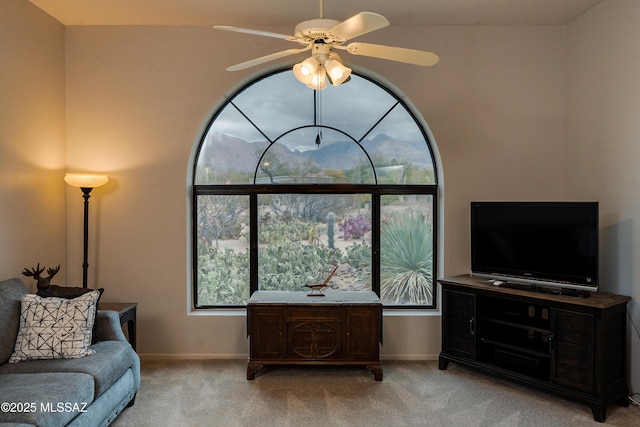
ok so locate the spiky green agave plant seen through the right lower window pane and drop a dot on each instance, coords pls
(406, 273)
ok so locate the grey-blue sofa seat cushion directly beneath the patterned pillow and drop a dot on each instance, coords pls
(110, 361)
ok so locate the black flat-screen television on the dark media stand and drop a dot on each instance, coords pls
(538, 244)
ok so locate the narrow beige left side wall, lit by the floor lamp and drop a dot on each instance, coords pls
(32, 141)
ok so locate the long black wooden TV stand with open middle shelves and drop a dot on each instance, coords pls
(567, 345)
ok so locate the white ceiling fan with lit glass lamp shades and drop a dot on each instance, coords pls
(321, 36)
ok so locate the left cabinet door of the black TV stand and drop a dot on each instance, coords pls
(459, 324)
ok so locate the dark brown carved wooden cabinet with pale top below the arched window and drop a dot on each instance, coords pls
(340, 328)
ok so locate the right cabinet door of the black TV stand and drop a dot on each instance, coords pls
(572, 355)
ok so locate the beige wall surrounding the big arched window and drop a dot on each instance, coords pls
(138, 98)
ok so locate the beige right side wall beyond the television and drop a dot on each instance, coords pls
(603, 143)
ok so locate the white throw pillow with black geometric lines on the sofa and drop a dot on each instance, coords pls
(55, 328)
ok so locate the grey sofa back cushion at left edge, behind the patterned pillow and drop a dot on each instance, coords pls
(11, 291)
